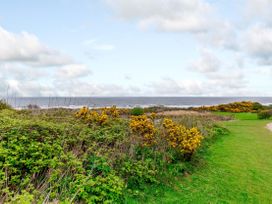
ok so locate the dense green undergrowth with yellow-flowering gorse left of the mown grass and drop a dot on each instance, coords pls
(94, 156)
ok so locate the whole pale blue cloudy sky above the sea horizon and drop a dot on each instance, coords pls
(136, 48)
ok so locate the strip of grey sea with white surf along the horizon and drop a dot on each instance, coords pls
(75, 102)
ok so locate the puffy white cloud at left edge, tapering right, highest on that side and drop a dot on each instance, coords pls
(27, 48)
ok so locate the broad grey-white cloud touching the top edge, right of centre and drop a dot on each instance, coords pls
(166, 15)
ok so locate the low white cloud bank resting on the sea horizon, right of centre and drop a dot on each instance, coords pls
(216, 84)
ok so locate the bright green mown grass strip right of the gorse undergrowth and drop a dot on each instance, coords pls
(238, 168)
